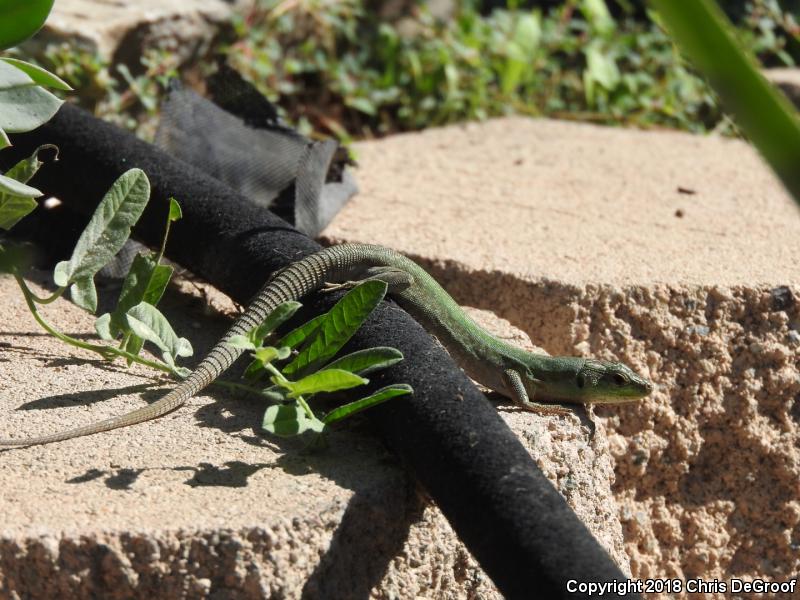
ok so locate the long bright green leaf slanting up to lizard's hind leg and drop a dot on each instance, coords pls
(342, 321)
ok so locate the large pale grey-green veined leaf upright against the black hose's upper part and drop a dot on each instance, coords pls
(107, 230)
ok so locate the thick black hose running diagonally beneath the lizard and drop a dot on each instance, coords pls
(450, 437)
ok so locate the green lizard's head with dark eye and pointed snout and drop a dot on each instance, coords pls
(606, 382)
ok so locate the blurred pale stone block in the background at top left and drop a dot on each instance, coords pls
(121, 31)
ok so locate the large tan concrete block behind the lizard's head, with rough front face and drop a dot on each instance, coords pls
(675, 253)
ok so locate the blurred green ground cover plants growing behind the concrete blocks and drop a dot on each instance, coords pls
(340, 68)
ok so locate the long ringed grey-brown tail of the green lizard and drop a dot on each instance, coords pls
(292, 283)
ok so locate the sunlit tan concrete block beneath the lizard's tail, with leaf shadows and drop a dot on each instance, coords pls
(197, 504)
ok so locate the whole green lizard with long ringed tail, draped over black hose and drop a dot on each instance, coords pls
(511, 371)
